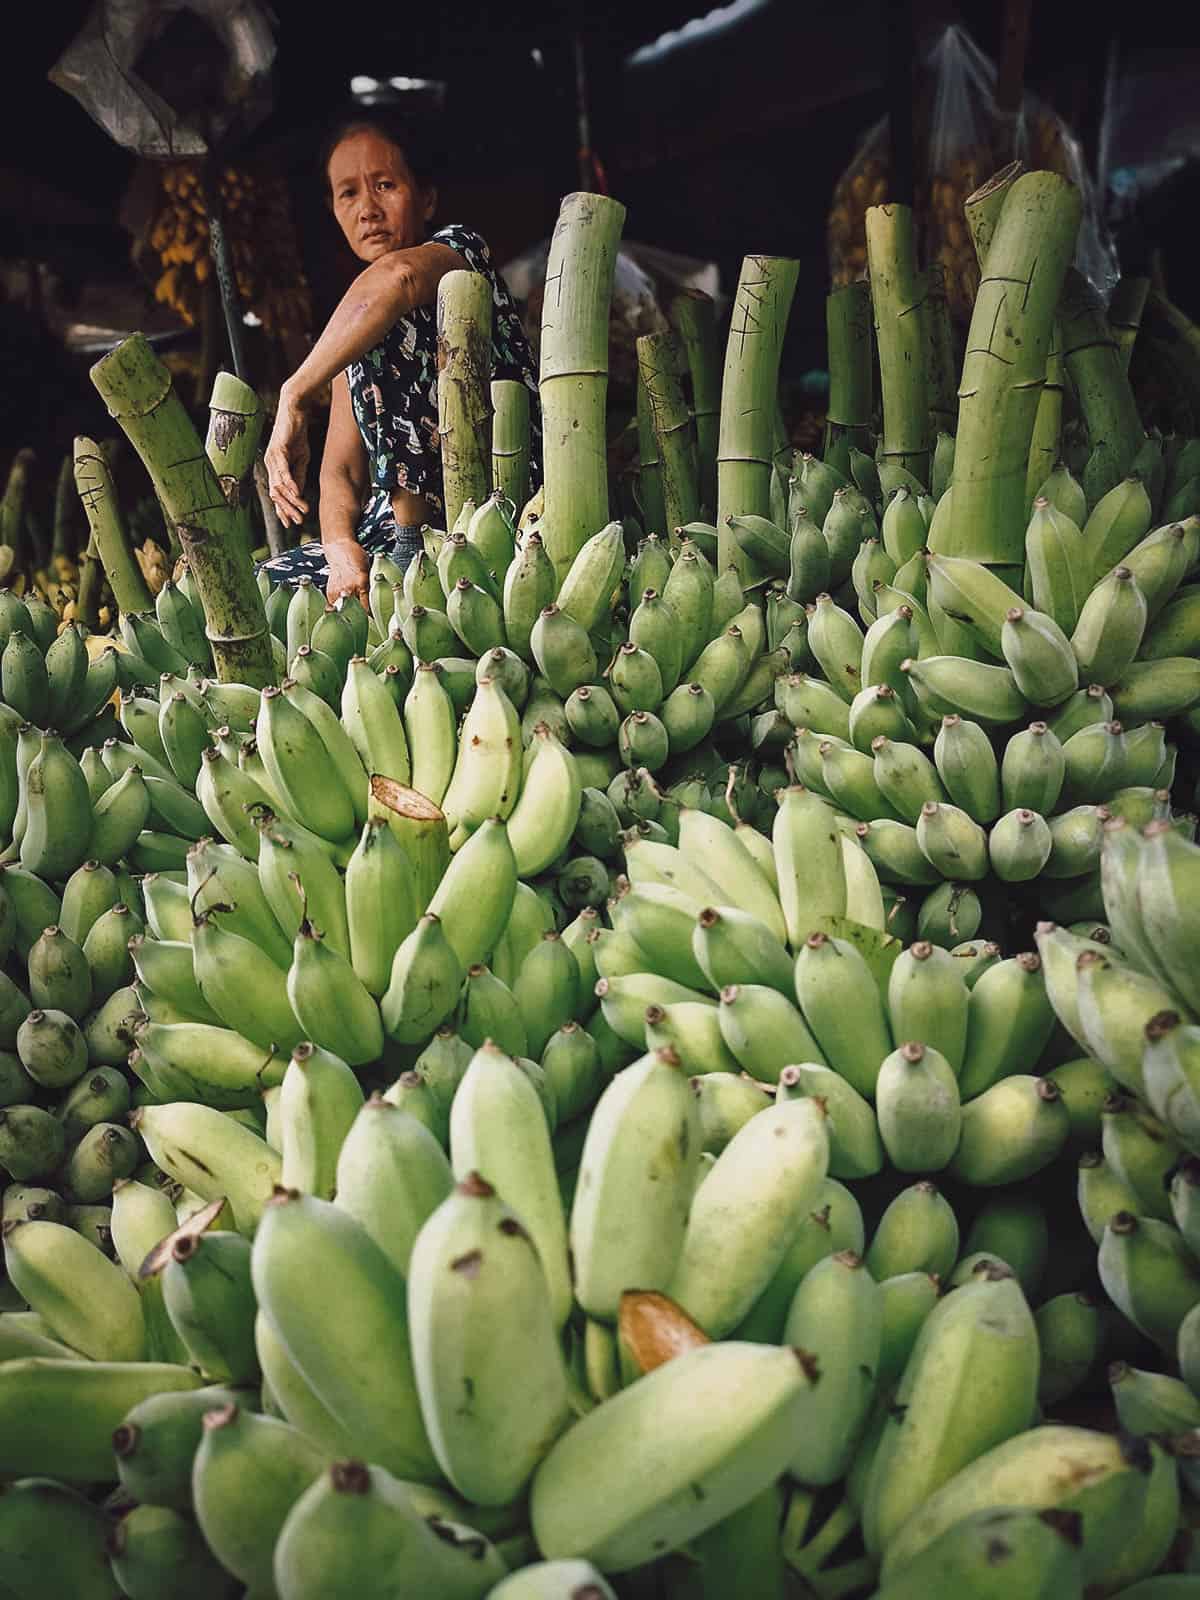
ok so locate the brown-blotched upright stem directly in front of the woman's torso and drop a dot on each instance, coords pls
(465, 390)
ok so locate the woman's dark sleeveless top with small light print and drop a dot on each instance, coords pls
(394, 393)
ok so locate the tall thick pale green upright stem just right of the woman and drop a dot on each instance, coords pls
(575, 372)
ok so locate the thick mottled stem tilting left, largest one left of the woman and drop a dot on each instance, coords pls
(137, 390)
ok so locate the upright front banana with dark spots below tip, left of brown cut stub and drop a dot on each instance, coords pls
(481, 1318)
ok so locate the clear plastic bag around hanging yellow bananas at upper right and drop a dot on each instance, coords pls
(961, 138)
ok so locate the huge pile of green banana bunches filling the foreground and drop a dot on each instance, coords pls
(486, 1135)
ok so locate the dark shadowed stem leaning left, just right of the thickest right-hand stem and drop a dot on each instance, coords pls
(1102, 383)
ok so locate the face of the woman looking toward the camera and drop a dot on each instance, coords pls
(377, 201)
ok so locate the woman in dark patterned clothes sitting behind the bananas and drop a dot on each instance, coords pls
(382, 468)
